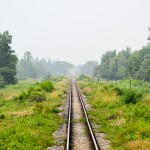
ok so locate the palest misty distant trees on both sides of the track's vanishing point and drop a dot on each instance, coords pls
(28, 67)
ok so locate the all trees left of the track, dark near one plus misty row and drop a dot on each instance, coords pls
(12, 69)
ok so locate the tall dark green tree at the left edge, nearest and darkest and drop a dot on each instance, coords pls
(8, 59)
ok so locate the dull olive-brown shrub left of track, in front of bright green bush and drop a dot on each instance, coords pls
(37, 96)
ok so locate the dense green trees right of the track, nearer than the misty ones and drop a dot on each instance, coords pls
(125, 64)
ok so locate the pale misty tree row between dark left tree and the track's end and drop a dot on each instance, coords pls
(28, 67)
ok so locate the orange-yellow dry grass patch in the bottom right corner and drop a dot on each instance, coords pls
(138, 145)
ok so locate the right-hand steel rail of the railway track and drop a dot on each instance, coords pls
(94, 141)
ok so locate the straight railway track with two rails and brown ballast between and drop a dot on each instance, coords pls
(80, 135)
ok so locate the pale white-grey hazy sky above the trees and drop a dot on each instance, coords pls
(75, 30)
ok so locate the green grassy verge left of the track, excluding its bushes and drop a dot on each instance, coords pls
(29, 124)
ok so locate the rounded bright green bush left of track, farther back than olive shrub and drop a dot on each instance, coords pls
(46, 86)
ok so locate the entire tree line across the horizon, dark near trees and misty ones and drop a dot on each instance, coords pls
(113, 66)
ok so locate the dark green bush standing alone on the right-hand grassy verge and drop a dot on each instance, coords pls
(131, 96)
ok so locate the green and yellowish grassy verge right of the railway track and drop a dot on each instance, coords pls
(126, 124)
